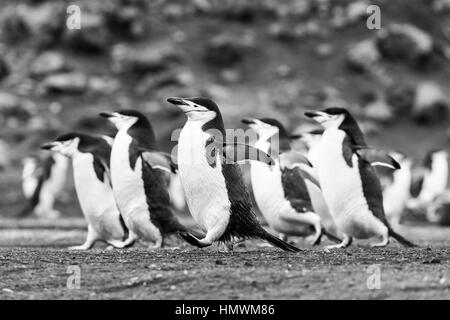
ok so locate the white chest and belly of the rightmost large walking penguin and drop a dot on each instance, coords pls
(342, 187)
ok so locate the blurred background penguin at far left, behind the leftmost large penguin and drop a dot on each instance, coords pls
(43, 180)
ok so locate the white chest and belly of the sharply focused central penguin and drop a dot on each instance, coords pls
(204, 185)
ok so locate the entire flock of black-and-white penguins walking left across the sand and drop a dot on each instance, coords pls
(126, 187)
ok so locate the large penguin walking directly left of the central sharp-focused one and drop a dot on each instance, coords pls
(139, 176)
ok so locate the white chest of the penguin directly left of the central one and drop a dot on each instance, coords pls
(128, 185)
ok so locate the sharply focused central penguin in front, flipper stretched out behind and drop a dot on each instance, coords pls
(214, 187)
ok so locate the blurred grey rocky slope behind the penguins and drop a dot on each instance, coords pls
(254, 57)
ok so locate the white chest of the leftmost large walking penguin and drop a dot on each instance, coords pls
(96, 198)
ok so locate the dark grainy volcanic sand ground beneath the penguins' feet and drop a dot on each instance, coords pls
(34, 264)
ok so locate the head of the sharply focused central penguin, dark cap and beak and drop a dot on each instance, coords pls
(197, 109)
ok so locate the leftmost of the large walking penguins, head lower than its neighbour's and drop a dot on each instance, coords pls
(90, 160)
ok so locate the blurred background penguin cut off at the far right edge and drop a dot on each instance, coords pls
(432, 179)
